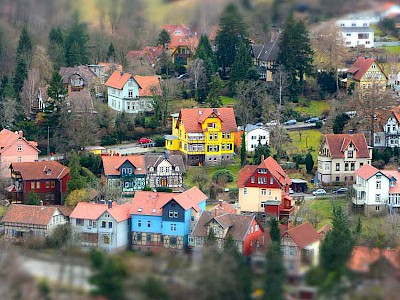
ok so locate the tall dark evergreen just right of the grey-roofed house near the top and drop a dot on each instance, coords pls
(295, 53)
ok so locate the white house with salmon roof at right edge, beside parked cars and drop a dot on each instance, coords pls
(377, 191)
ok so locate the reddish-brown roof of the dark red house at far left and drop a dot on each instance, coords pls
(40, 170)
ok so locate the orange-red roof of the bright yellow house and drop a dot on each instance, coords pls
(192, 118)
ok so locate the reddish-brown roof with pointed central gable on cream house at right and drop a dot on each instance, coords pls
(337, 141)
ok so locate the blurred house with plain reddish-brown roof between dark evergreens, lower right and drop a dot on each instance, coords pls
(300, 249)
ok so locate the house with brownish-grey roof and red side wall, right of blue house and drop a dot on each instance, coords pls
(246, 232)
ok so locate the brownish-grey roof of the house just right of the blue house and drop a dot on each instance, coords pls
(238, 225)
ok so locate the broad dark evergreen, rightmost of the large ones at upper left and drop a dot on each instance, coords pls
(76, 43)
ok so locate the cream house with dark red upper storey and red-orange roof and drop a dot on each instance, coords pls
(264, 190)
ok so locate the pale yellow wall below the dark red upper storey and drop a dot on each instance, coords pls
(251, 198)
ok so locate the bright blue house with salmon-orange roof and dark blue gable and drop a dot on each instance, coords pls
(165, 220)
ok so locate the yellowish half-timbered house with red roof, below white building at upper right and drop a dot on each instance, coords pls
(366, 73)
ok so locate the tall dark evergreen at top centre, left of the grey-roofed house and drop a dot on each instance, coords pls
(232, 32)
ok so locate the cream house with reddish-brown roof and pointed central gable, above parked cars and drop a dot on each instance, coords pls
(340, 155)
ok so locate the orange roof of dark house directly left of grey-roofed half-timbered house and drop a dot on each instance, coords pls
(111, 164)
